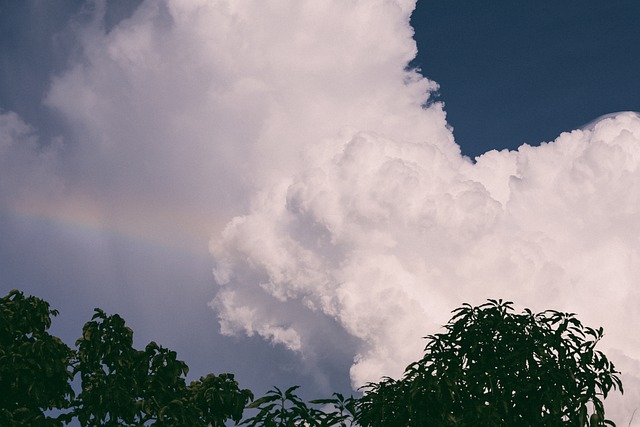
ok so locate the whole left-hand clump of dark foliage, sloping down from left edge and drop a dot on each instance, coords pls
(119, 385)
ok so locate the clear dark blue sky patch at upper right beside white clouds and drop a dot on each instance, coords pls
(524, 71)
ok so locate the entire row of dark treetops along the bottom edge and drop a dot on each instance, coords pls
(489, 367)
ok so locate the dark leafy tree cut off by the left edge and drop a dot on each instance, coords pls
(34, 365)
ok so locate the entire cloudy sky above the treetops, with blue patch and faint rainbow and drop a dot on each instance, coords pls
(298, 191)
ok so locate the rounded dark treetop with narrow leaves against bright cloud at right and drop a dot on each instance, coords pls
(493, 367)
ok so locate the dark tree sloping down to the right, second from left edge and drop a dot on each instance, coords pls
(122, 386)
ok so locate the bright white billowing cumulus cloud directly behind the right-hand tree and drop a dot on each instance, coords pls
(386, 236)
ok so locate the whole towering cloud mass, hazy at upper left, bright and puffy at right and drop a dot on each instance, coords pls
(339, 207)
